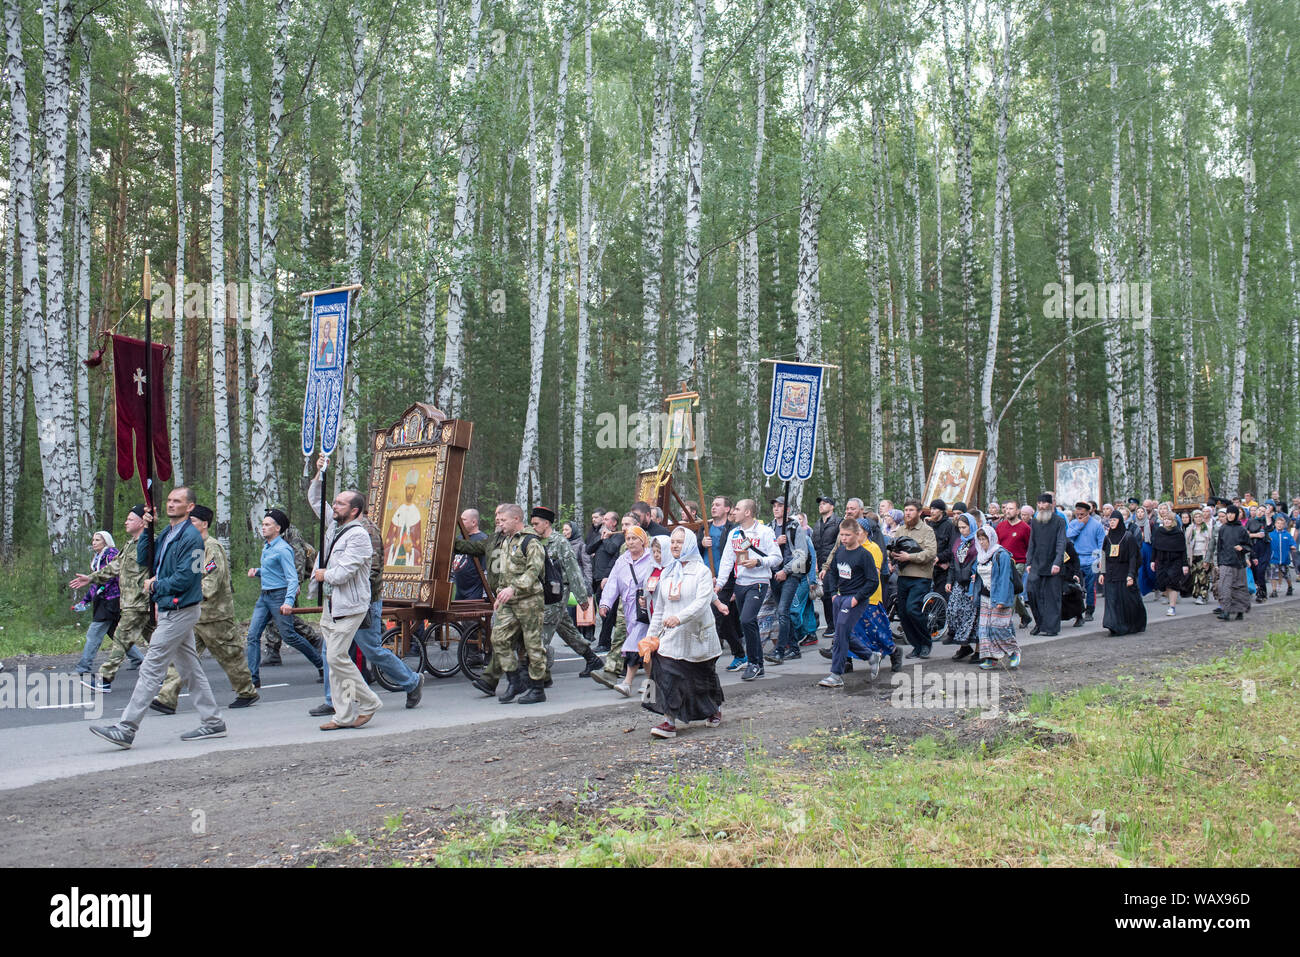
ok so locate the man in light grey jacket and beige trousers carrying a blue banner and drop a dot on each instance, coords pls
(344, 570)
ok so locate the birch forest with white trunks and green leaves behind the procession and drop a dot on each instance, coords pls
(1041, 228)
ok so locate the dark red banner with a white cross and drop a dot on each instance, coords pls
(129, 389)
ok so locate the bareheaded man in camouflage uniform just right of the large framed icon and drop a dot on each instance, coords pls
(514, 565)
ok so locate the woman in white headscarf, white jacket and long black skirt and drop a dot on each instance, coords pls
(683, 666)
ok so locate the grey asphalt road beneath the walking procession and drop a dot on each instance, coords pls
(42, 743)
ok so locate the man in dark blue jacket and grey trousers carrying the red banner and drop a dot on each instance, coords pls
(176, 588)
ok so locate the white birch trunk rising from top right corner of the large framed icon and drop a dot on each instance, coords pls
(462, 226)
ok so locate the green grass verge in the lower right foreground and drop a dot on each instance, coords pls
(1184, 770)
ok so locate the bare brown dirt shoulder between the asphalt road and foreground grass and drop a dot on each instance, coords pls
(285, 807)
